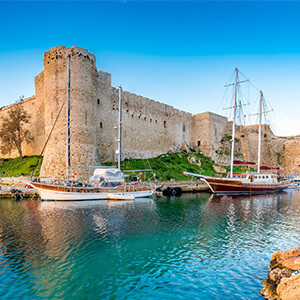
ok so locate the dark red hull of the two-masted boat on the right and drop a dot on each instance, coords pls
(231, 187)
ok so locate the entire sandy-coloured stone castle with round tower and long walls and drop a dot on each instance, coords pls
(150, 128)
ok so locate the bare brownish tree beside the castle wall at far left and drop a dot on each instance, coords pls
(13, 132)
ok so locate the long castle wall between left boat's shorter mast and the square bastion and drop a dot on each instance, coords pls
(151, 128)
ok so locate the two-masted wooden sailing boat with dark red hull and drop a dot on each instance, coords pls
(247, 183)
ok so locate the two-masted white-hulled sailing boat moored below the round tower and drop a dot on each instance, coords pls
(106, 183)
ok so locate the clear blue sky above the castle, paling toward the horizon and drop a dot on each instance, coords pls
(180, 53)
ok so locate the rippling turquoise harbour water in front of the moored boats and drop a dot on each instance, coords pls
(193, 247)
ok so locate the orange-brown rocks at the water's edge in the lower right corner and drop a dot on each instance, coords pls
(282, 282)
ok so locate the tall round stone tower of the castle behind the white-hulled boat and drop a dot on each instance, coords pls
(83, 109)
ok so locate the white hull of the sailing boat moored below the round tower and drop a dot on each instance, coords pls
(75, 196)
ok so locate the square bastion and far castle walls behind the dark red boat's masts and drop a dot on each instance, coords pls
(212, 134)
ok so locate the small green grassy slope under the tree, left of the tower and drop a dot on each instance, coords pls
(16, 167)
